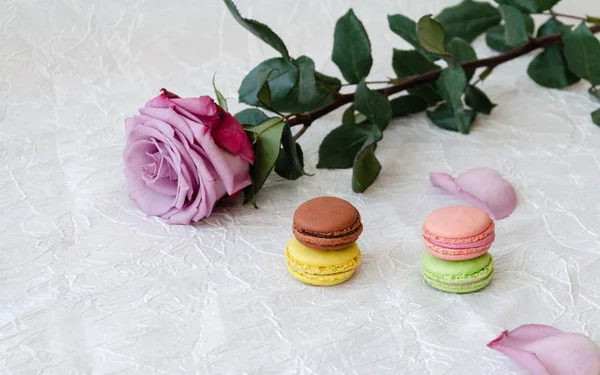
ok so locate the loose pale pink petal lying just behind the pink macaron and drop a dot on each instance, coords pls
(481, 187)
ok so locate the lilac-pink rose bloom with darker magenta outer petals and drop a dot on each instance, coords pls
(183, 155)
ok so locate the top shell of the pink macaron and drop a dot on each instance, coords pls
(458, 222)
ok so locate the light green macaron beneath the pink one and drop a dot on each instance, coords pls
(462, 276)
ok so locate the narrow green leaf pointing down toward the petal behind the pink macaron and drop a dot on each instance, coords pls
(452, 84)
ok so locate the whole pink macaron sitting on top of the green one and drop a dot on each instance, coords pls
(458, 233)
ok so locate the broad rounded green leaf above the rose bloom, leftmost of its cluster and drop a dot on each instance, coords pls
(281, 81)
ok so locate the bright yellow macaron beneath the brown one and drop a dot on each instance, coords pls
(319, 267)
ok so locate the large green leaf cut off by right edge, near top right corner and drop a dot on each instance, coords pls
(582, 51)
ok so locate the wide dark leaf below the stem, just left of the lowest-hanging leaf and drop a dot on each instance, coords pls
(340, 147)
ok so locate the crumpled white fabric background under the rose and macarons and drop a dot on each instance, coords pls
(90, 285)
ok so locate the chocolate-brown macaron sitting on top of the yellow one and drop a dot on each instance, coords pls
(327, 223)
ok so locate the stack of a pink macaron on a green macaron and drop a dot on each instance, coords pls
(457, 240)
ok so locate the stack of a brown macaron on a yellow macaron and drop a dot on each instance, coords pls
(323, 250)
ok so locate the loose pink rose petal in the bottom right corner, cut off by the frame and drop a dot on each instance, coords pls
(544, 350)
